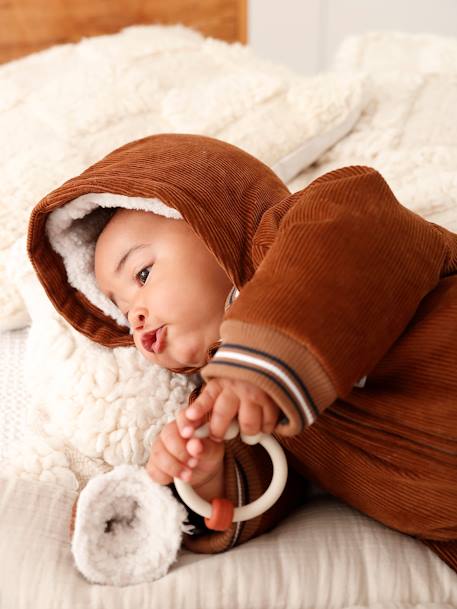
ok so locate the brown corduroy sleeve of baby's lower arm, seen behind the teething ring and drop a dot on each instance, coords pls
(248, 472)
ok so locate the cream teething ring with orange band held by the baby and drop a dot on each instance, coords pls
(220, 513)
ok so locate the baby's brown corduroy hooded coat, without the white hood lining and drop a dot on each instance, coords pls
(337, 281)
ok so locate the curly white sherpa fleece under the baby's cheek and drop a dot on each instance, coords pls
(102, 409)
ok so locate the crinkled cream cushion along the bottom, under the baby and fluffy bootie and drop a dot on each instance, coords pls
(324, 555)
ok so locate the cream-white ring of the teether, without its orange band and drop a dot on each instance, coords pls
(260, 505)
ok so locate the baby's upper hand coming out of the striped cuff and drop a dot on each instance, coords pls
(228, 399)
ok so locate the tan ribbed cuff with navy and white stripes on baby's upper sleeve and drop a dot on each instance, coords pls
(292, 377)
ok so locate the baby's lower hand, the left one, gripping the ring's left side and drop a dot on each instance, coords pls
(170, 458)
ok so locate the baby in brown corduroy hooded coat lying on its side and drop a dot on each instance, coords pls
(327, 316)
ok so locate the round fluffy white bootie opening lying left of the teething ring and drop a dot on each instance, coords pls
(127, 528)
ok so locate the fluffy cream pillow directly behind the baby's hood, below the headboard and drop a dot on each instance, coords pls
(64, 108)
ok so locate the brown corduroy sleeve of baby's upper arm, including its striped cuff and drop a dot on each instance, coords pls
(341, 279)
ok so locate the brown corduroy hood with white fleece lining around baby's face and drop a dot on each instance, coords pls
(191, 177)
